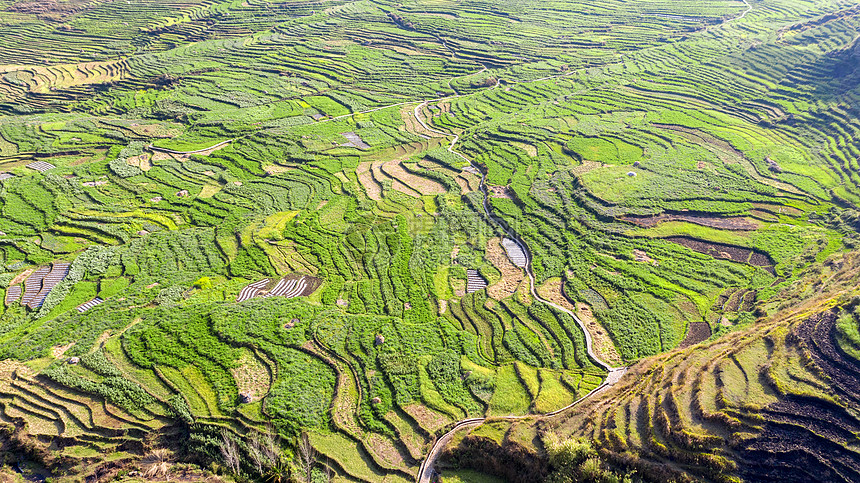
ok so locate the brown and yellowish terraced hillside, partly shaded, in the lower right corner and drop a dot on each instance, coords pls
(775, 401)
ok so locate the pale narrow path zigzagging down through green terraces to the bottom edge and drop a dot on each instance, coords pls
(427, 468)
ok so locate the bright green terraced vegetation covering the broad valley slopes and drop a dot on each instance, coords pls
(696, 106)
